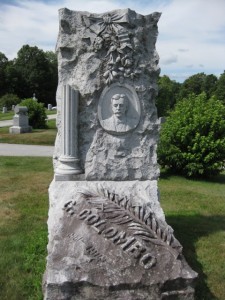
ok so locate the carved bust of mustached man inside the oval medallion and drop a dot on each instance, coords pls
(119, 121)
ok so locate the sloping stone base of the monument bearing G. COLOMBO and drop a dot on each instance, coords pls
(109, 240)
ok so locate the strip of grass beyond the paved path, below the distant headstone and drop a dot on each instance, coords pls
(36, 137)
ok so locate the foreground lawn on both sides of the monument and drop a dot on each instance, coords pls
(194, 208)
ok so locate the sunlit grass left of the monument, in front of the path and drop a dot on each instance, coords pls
(23, 231)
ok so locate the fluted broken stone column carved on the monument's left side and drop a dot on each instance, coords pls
(69, 161)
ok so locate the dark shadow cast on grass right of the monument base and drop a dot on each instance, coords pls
(188, 230)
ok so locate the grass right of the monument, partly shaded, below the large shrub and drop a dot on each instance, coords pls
(196, 211)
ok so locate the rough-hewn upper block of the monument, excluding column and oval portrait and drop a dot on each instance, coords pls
(92, 55)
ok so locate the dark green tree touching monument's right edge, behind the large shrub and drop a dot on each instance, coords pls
(167, 96)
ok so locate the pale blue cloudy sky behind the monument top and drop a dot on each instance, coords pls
(191, 32)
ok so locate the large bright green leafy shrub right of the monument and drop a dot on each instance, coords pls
(192, 140)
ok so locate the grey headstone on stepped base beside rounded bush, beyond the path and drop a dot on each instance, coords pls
(20, 121)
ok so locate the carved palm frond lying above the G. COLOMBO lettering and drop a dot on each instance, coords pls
(139, 219)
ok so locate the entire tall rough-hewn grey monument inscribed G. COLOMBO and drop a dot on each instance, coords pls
(108, 237)
